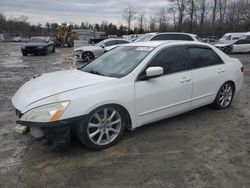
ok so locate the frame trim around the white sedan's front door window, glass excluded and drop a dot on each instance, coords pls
(143, 70)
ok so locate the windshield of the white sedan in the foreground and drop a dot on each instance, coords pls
(118, 62)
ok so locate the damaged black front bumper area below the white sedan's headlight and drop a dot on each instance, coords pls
(57, 134)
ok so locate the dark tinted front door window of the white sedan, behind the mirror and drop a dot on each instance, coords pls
(170, 59)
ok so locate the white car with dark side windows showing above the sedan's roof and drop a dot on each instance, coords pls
(167, 36)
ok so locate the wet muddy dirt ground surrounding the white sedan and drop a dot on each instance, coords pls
(202, 148)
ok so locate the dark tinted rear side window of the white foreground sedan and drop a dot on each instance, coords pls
(202, 57)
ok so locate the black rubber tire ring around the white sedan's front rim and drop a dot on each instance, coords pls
(83, 126)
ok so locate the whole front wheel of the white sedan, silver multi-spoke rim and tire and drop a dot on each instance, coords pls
(103, 128)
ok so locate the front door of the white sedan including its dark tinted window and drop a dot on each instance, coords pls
(167, 95)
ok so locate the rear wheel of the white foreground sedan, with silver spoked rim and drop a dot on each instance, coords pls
(218, 102)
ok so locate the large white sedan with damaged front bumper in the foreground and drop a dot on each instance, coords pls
(125, 88)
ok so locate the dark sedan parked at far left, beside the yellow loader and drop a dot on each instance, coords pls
(38, 46)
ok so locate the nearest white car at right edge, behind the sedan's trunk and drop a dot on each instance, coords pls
(238, 46)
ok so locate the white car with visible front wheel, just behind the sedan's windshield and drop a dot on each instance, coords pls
(88, 53)
